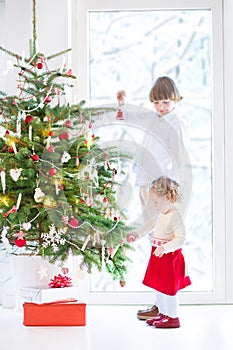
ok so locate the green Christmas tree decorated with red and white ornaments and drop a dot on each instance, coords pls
(58, 188)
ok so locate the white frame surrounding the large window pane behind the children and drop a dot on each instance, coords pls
(221, 139)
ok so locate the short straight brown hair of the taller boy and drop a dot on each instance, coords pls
(164, 88)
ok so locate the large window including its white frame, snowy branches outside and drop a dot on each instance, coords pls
(128, 49)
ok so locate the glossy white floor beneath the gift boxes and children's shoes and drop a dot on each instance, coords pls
(117, 328)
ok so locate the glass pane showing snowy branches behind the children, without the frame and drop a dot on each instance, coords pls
(129, 50)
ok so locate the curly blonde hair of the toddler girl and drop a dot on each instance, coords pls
(164, 186)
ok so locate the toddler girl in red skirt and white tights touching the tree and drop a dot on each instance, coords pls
(166, 271)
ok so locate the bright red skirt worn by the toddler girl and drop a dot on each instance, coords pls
(166, 274)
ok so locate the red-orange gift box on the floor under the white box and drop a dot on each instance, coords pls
(67, 312)
